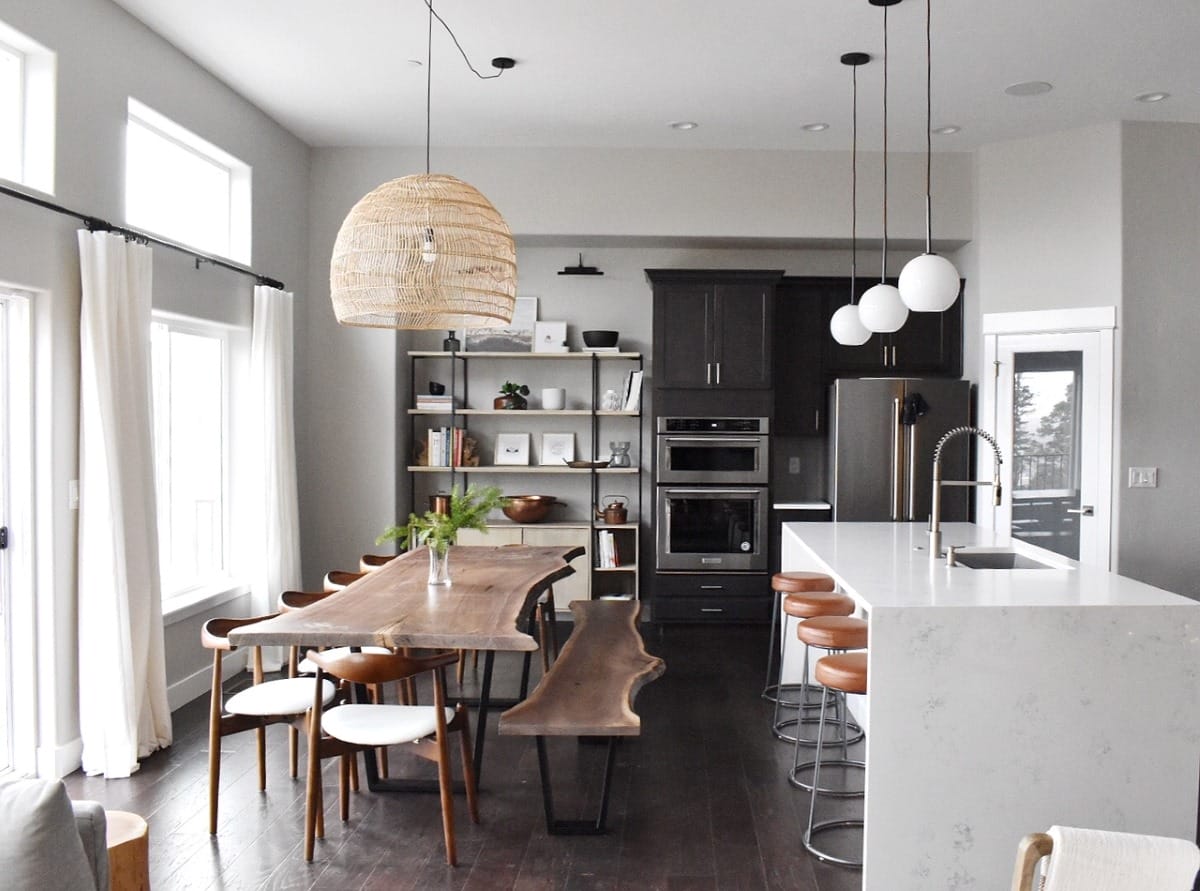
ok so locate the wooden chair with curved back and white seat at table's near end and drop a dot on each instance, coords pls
(347, 729)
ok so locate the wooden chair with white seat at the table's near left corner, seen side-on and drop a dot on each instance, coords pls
(262, 704)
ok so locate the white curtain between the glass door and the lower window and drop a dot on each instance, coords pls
(123, 679)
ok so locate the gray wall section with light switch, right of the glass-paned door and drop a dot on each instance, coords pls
(1161, 321)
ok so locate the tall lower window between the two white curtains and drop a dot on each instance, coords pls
(190, 367)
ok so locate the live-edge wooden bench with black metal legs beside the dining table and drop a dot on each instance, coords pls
(589, 692)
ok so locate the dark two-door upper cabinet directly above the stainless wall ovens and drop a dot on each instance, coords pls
(713, 328)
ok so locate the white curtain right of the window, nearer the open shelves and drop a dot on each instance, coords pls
(275, 511)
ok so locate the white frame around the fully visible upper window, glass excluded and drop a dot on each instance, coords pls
(237, 237)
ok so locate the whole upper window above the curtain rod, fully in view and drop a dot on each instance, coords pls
(185, 189)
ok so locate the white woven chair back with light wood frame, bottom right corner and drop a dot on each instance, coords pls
(1106, 862)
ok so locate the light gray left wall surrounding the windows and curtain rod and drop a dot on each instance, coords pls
(105, 57)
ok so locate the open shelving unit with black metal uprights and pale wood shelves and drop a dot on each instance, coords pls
(599, 369)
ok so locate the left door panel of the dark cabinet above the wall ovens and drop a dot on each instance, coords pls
(682, 334)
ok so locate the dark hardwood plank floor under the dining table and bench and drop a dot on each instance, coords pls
(699, 802)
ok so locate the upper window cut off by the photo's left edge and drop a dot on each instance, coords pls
(27, 111)
